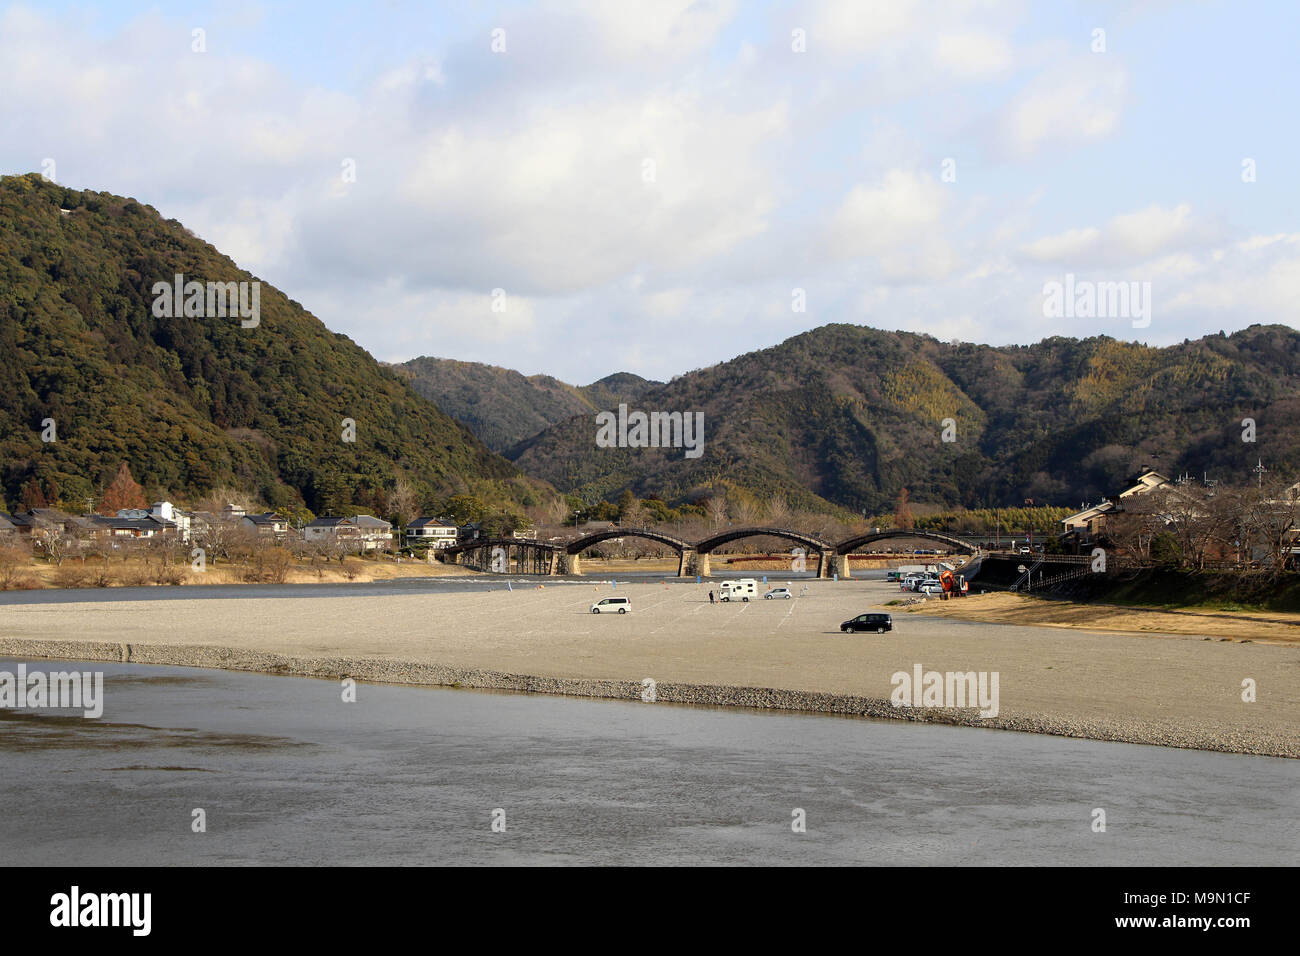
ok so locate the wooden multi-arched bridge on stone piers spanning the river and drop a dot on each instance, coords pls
(515, 556)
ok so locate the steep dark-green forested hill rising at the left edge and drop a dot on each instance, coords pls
(193, 403)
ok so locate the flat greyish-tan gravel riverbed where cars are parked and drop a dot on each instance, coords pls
(1173, 690)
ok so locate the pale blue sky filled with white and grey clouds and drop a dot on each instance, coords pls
(656, 184)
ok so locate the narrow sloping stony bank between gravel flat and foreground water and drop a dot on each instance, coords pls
(395, 672)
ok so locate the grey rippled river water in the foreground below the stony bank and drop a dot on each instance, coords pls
(288, 773)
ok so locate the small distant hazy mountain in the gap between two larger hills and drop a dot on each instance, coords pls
(504, 408)
